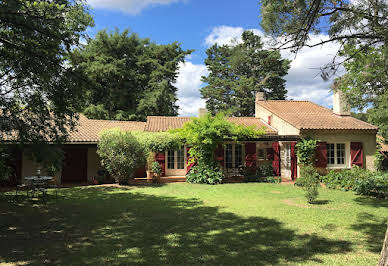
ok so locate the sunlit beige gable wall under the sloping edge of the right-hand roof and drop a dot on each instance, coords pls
(279, 124)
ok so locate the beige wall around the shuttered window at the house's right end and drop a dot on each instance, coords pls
(367, 138)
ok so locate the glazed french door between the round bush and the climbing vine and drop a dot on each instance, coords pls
(176, 162)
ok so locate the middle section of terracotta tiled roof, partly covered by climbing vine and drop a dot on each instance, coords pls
(164, 123)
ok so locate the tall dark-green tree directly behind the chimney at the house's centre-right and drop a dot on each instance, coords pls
(238, 71)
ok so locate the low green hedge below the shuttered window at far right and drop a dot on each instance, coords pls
(362, 181)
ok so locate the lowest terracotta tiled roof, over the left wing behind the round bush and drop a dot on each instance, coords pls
(88, 130)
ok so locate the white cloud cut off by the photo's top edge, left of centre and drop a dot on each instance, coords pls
(132, 7)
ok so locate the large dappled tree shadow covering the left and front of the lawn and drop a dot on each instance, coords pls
(111, 226)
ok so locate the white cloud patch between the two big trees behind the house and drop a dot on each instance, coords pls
(188, 84)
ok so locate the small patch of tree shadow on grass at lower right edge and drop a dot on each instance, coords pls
(373, 228)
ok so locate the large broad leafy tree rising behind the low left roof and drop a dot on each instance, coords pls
(129, 77)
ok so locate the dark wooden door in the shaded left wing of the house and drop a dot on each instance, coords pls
(75, 165)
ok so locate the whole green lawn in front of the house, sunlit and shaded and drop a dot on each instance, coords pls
(189, 224)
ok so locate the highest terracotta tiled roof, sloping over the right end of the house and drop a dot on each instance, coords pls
(308, 115)
